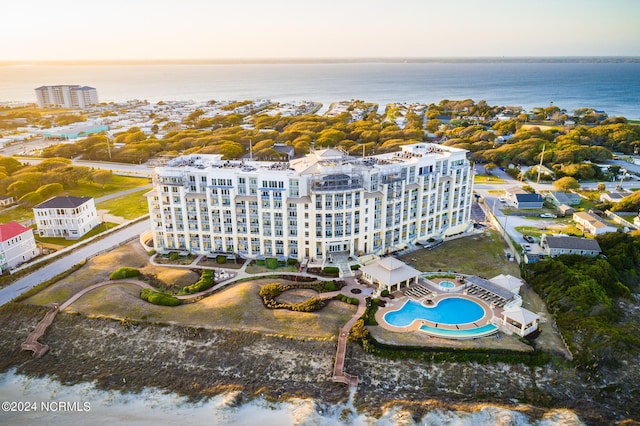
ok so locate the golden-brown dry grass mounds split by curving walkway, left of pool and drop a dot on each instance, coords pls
(237, 307)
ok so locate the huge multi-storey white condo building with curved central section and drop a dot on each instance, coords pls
(326, 202)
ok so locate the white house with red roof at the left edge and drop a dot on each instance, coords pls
(17, 245)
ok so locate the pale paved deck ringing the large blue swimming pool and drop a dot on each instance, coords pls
(400, 298)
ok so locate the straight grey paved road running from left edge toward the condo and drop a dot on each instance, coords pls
(67, 261)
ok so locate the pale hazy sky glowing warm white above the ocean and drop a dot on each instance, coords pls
(209, 29)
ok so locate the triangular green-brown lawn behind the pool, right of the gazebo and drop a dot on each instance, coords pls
(480, 254)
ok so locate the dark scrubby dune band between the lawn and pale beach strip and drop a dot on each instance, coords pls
(200, 364)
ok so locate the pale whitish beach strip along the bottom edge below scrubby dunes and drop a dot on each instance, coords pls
(84, 404)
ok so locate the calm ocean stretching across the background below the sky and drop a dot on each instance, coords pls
(610, 86)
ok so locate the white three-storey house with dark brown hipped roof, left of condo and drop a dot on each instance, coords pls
(67, 217)
